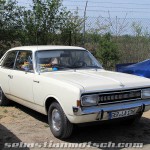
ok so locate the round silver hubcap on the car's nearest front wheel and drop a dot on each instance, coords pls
(56, 120)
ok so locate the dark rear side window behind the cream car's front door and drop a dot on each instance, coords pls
(9, 60)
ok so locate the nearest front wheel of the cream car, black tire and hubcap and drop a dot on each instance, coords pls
(65, 127)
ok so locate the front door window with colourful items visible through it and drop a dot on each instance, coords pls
(24, 61)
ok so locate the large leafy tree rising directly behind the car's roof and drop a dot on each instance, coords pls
(47, 22)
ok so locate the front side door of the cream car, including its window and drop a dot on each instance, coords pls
(21, 82)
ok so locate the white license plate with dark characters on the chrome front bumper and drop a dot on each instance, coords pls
(122, 113)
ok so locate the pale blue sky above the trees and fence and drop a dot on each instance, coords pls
(99, 12)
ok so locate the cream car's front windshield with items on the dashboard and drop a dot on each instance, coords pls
(56, 60)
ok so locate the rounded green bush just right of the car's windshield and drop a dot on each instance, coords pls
(107, 51)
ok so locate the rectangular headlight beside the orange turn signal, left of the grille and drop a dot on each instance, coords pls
(89, 100)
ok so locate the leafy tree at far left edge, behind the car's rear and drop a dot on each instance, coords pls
(10, 24)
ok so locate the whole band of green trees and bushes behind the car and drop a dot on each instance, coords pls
(48, 22)
